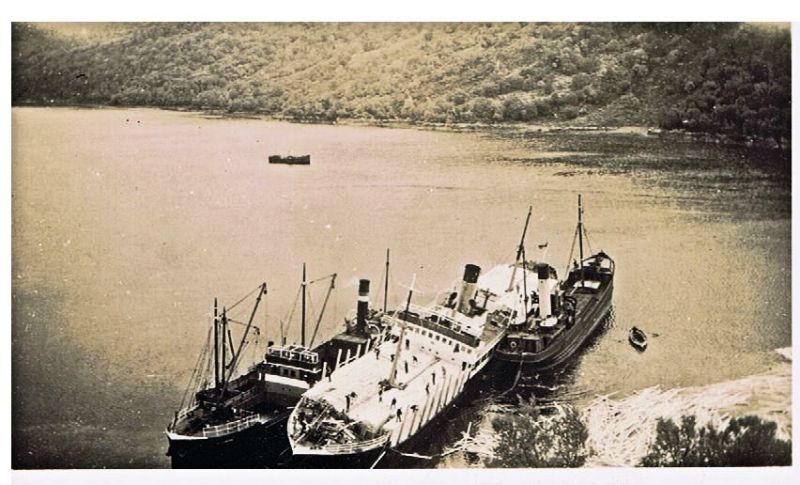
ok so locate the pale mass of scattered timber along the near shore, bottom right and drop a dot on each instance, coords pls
(621, 429)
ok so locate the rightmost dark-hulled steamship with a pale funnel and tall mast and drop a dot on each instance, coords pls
(562, 315)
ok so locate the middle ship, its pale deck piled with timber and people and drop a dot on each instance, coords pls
(428, 357)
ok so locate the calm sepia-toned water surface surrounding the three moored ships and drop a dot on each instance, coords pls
(127, 223)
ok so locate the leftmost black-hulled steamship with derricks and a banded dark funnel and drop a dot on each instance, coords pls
(245, 416)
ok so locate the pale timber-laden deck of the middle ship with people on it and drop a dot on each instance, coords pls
(438, 366)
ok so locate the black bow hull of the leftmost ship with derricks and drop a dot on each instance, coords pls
(259, 446)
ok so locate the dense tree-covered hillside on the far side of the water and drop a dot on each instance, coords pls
(728, 78)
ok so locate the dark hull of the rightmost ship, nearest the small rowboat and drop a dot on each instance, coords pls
(566, 345)
